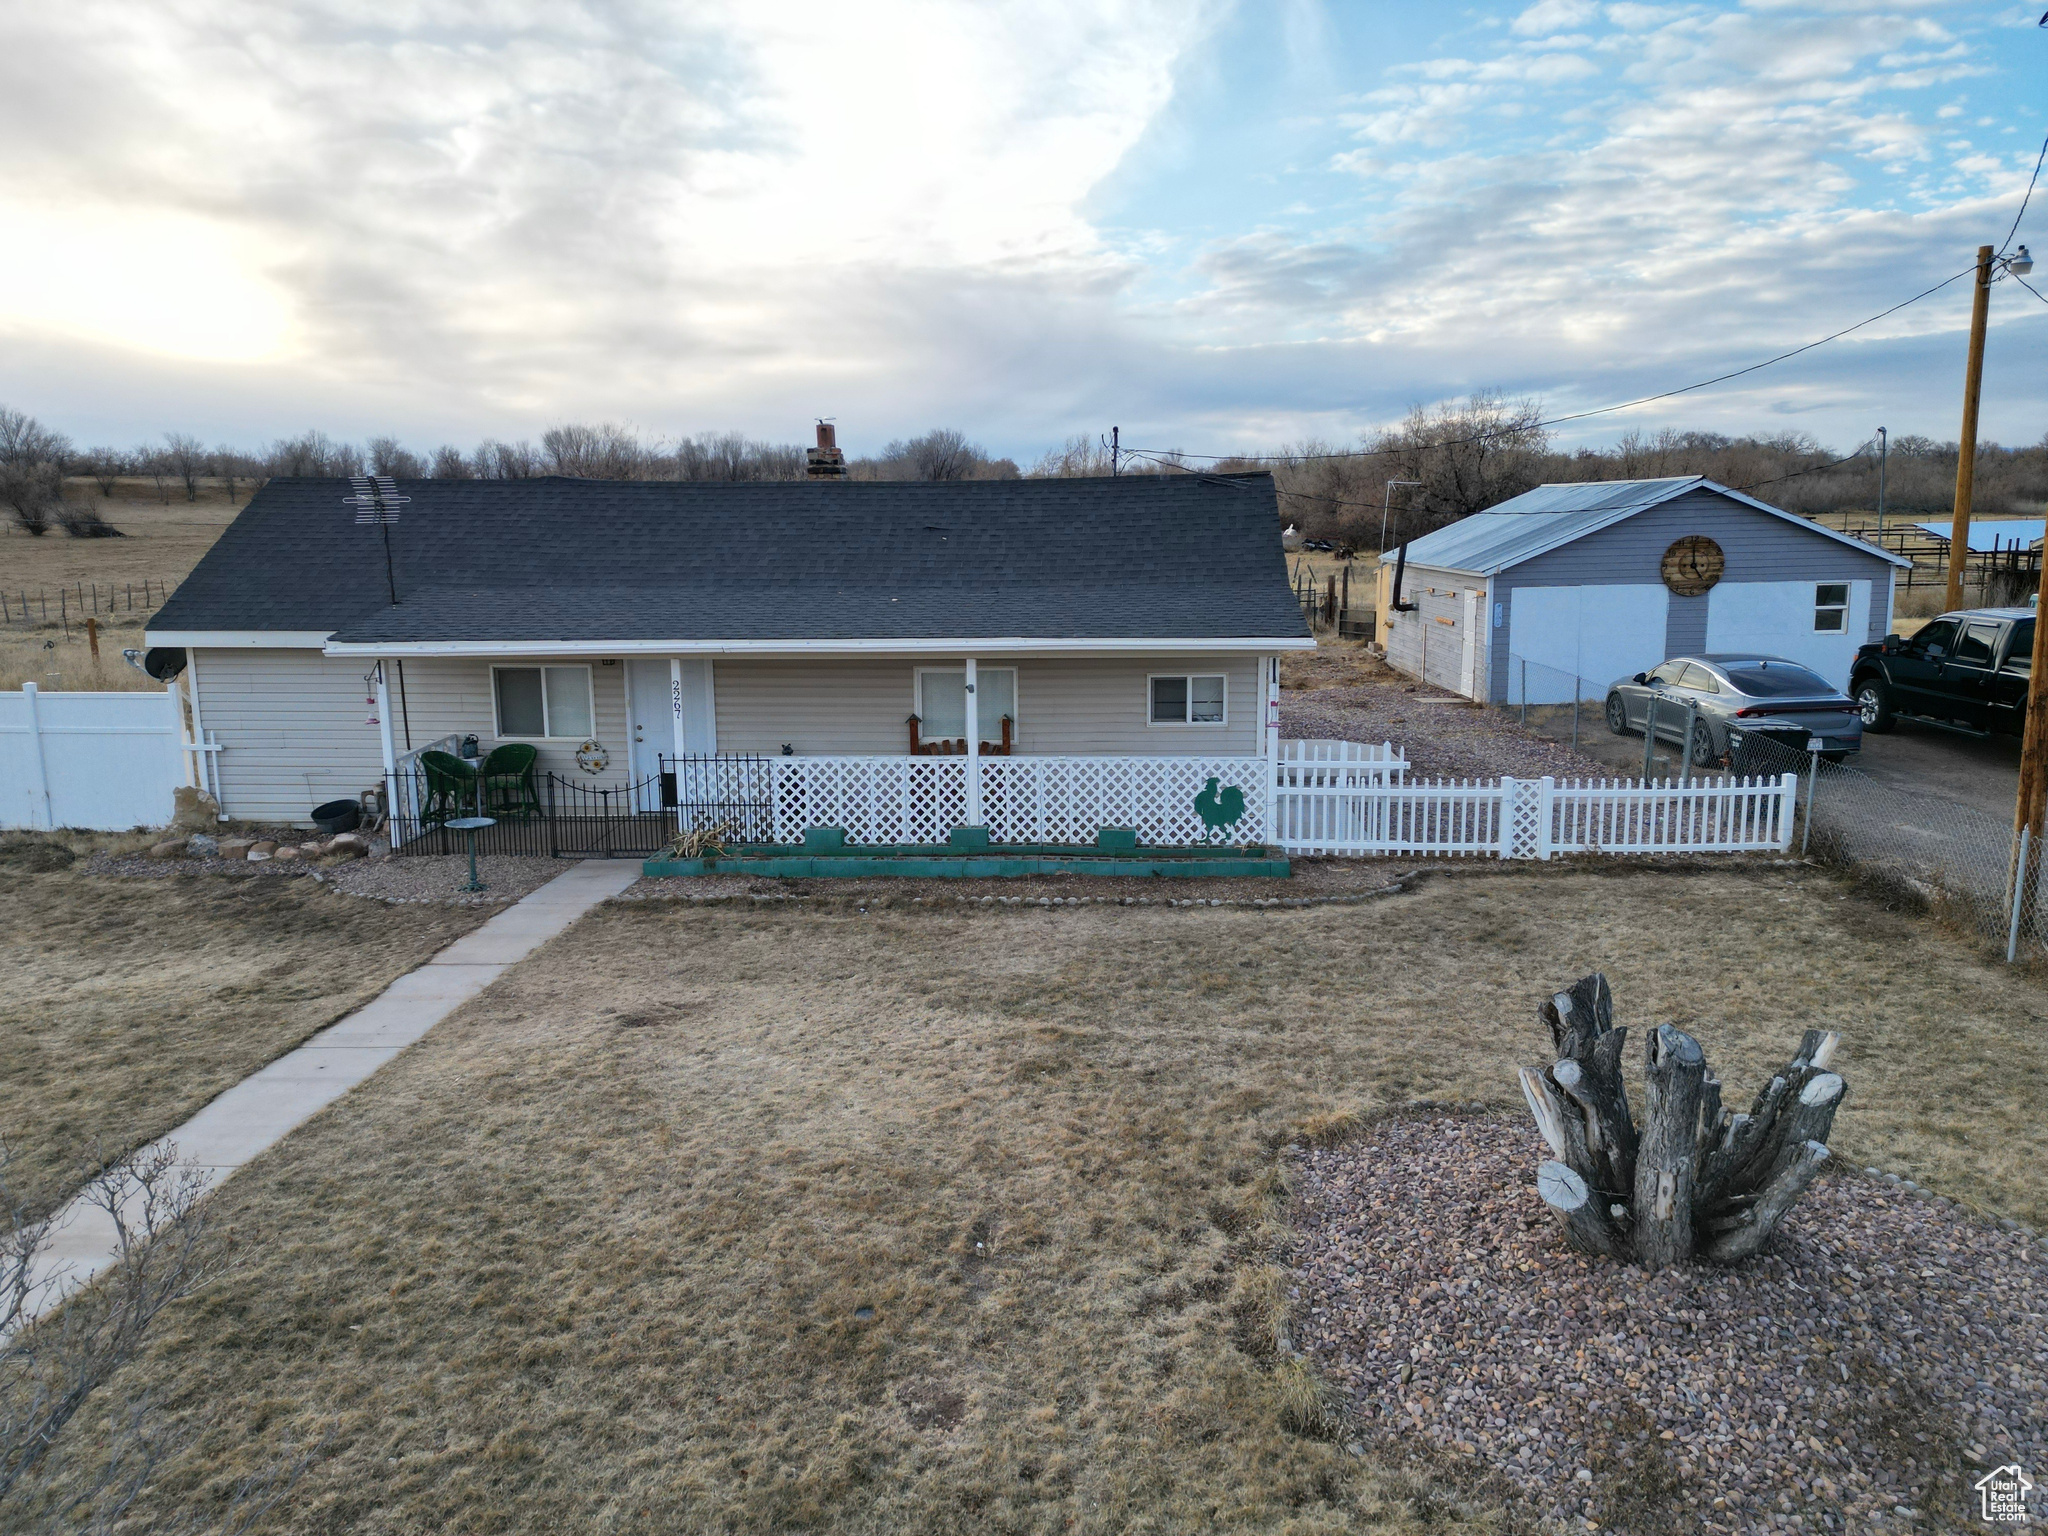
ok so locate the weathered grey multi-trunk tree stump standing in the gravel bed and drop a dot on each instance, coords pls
(1695, 1181)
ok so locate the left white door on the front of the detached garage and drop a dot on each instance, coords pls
(1594, 634)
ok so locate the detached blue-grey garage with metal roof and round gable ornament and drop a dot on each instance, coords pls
(1607, 579)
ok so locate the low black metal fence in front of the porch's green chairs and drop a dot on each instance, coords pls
(574, 820)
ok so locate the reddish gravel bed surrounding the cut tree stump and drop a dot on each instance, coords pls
(1857, 1377)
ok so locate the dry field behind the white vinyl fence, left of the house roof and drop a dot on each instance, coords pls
(161, 548)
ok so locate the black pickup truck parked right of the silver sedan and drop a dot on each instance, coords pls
(1965, 671)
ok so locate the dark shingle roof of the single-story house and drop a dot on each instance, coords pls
(583, 560)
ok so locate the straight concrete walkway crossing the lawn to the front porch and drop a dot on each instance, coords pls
(269, 1105)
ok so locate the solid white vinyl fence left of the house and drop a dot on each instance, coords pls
(105, 763)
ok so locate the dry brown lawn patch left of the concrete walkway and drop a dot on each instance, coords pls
(130, 1005)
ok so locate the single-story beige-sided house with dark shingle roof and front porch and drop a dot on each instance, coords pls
(1039, 656)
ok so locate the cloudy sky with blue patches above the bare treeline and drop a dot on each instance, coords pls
(1220, 226)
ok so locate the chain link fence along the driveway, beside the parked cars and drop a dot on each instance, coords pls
(1916, 847)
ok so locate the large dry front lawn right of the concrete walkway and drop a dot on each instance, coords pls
(906, 1220)
